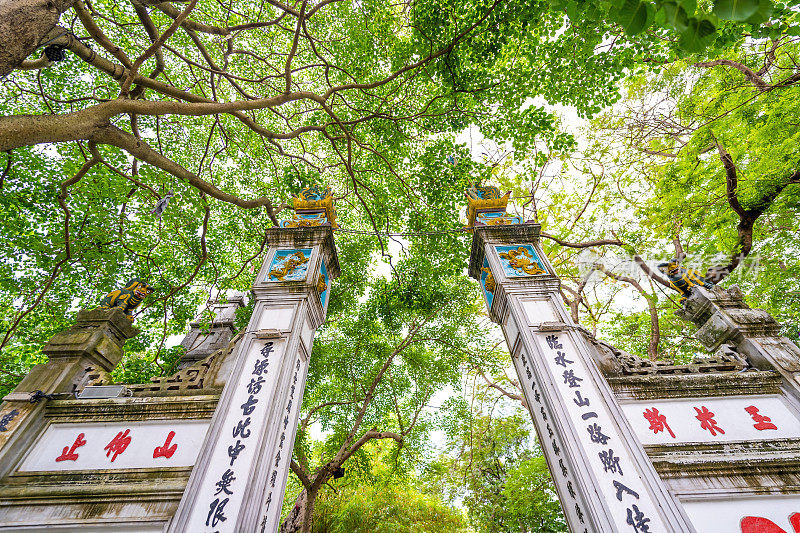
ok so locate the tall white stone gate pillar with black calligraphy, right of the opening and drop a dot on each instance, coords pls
(604, 479)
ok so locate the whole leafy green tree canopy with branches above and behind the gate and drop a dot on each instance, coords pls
(633, 130)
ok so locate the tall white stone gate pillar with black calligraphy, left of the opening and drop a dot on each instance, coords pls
(239, 479)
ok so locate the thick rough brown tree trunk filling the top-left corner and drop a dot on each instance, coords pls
(23, 24)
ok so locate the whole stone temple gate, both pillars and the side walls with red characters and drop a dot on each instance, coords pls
(632, 445)
